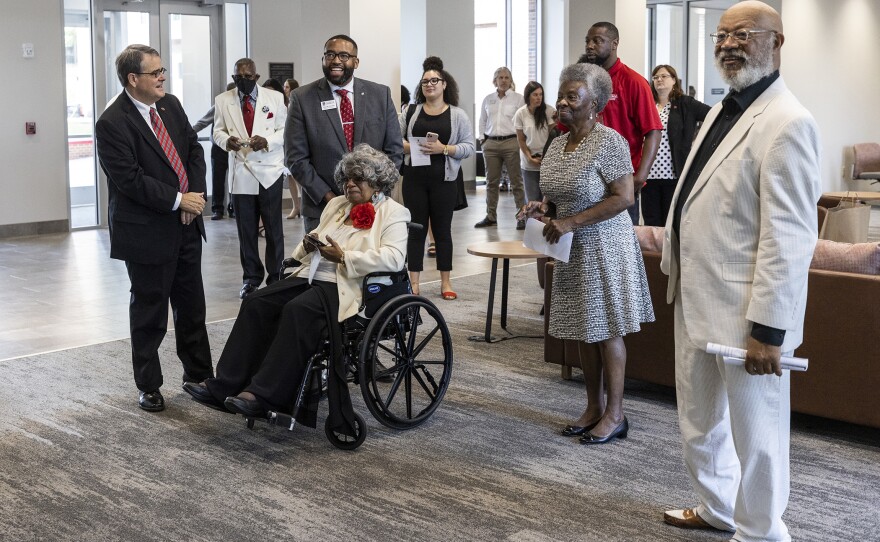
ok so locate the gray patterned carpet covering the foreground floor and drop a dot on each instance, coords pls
(79, 460)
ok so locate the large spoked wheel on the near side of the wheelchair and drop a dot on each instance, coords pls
(405, 362)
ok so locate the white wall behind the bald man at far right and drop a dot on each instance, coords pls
(831, 61)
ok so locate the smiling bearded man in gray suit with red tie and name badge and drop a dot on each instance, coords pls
(328, 117)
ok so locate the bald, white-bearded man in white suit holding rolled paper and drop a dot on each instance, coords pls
(737, 251)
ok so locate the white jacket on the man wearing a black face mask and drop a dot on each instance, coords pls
(249, 169)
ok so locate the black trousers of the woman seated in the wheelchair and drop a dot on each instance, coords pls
(277, 330)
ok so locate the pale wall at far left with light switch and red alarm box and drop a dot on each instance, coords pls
(34, 174)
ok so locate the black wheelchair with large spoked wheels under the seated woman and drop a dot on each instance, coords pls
(397, 349)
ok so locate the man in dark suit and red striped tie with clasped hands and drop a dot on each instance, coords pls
(155, 171)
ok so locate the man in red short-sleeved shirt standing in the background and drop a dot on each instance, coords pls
(631, 110)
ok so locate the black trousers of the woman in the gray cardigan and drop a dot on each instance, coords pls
(429, 199)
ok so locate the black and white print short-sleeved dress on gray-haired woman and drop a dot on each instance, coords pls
(602, 291)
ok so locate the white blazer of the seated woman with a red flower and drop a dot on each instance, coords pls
(380, 248)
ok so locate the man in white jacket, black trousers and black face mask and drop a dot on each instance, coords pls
(249, 123)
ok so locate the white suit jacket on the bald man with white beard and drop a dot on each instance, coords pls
(748, 227)
